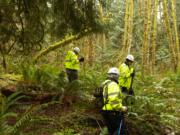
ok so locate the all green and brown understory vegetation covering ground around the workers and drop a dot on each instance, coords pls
(154, 109)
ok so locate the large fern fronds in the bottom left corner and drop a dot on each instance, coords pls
(5, 104)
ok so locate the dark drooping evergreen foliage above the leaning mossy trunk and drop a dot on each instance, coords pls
(25, 23)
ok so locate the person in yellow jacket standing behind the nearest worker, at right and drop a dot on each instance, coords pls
(127, 74)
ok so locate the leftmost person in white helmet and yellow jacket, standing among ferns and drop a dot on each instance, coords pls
(72, 62)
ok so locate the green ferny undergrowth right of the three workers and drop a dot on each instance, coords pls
(155, 110)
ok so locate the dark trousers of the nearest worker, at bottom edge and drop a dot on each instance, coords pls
(113, 120)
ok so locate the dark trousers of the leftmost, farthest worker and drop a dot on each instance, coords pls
(72, 74)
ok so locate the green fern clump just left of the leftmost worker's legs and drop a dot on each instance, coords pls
(45, 77)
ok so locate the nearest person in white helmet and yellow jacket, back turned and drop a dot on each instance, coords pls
(113, 108)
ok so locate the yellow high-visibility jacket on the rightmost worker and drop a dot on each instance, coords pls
(125, 75)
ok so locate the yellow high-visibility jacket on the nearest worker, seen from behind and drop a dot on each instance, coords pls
(112, 97)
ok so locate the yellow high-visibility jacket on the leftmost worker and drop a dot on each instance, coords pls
(71, 61)
